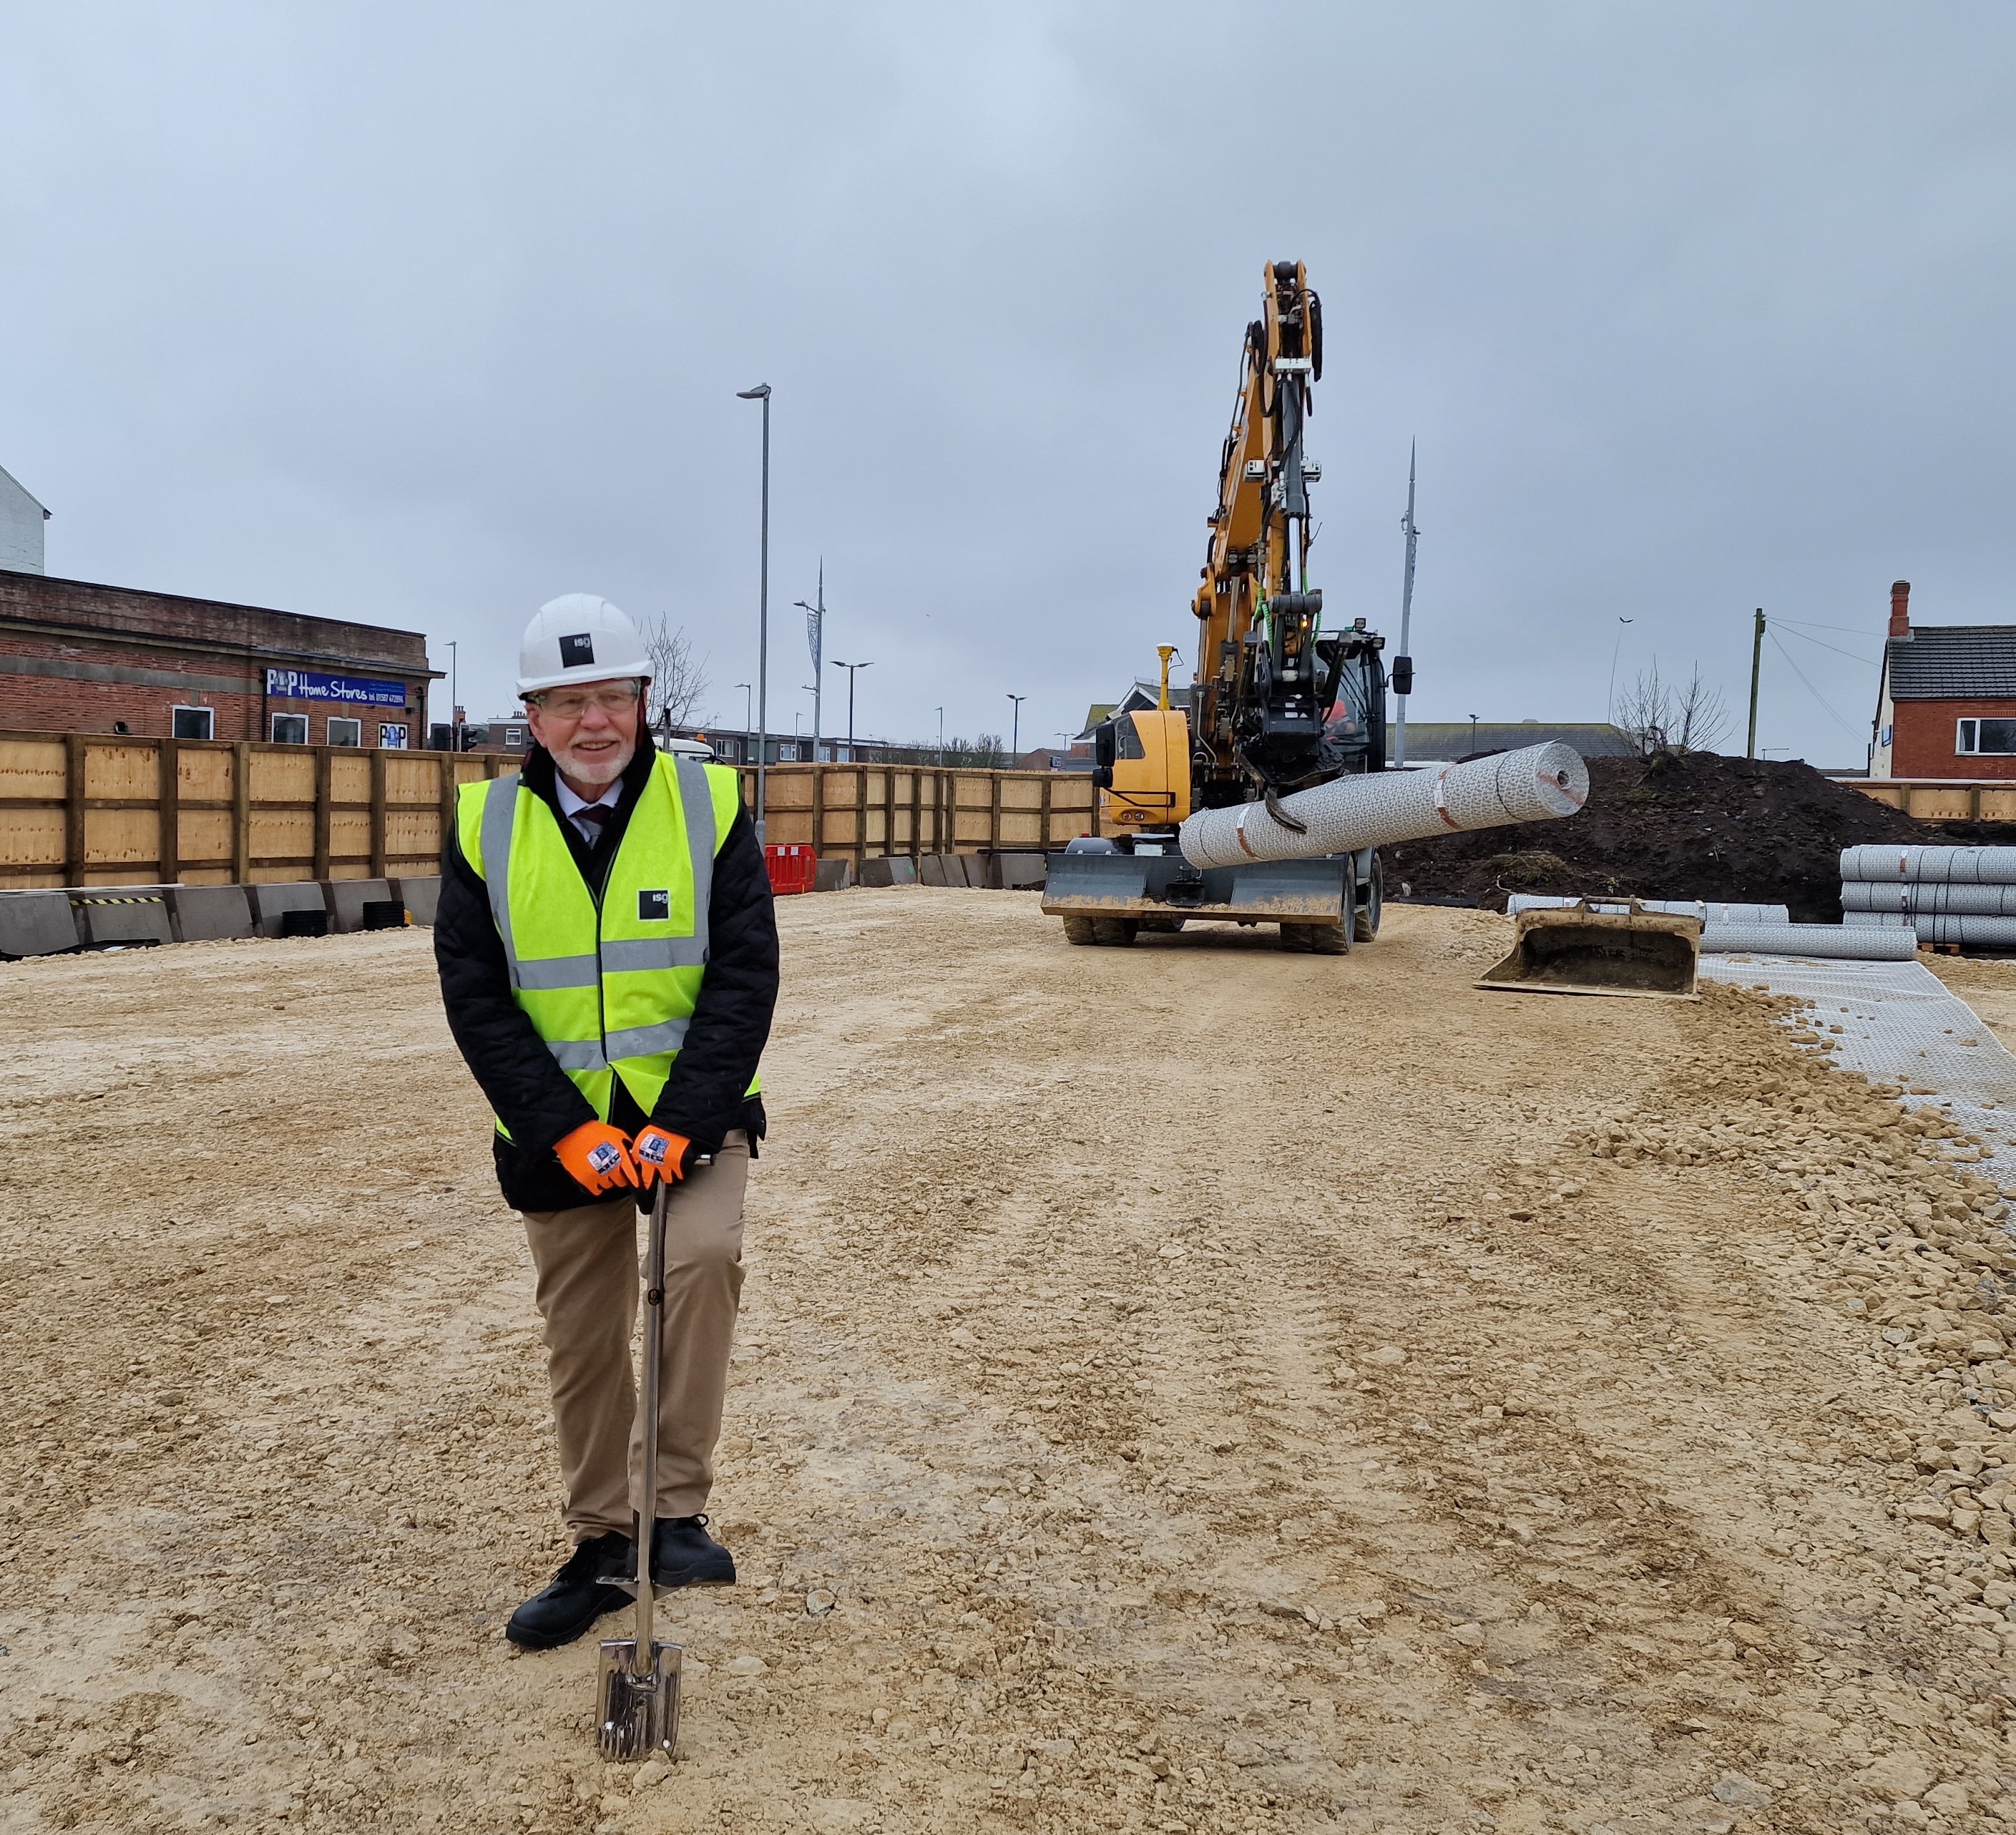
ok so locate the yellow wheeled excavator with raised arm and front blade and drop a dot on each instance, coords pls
(1277, 703)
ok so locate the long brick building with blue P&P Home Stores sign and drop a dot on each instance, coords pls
(82, 658)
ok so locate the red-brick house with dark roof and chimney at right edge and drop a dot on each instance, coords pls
(1946, 701)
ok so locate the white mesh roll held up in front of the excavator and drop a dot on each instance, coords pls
(1533, 785)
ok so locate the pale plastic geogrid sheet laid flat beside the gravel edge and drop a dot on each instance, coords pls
(1900, 1023)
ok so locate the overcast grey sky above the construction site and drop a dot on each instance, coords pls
(424, 314)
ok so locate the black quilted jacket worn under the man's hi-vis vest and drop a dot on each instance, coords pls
(725, 1042)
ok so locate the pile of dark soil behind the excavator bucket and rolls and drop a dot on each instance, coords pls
(1678, 828)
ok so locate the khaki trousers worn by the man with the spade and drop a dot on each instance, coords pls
(586, 1261)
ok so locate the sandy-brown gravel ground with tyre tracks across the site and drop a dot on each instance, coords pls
(1188, 1388)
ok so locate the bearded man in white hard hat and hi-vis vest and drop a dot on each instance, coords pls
(608, 957)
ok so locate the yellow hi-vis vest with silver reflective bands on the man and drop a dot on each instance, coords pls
(612, 985)
